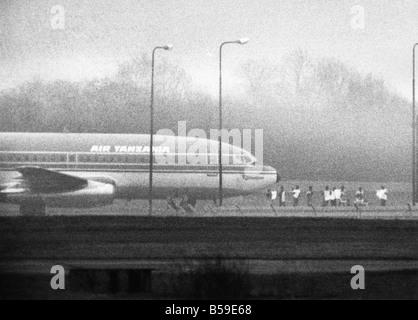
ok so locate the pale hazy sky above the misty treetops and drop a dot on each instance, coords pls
(99, 34)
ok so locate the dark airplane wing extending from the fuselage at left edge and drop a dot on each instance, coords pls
(39, 180)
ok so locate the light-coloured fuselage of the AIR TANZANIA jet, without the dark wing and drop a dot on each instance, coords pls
(129, 172)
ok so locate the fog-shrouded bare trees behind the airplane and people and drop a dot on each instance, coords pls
(322, 119)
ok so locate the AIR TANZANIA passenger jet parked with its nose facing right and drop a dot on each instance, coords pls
(69, 170)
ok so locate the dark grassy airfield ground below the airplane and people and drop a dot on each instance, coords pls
(289, 252)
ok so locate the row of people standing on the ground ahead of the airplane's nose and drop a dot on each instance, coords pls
(334, 197)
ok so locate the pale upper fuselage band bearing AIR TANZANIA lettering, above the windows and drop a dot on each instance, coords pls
(86, 144)
